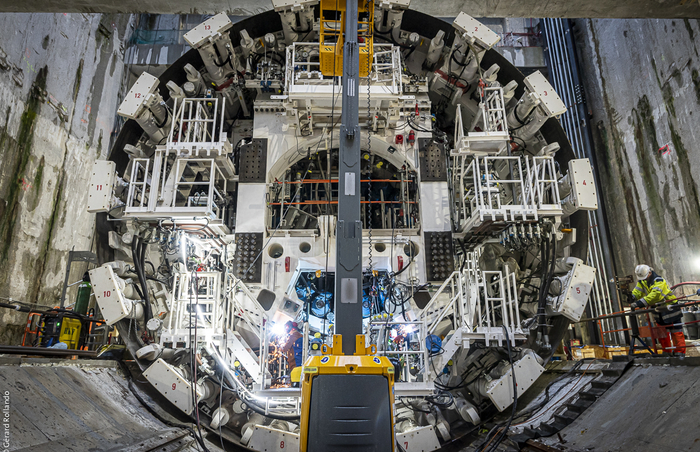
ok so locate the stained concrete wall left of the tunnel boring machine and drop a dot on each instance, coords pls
(59, 79)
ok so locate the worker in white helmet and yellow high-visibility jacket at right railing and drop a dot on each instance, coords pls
(652, 291)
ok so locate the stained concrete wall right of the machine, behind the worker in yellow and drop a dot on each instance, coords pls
(643, 90)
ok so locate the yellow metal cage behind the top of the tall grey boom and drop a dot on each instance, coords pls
(333, 30)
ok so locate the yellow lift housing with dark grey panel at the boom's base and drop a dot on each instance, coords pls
(347, 401)
